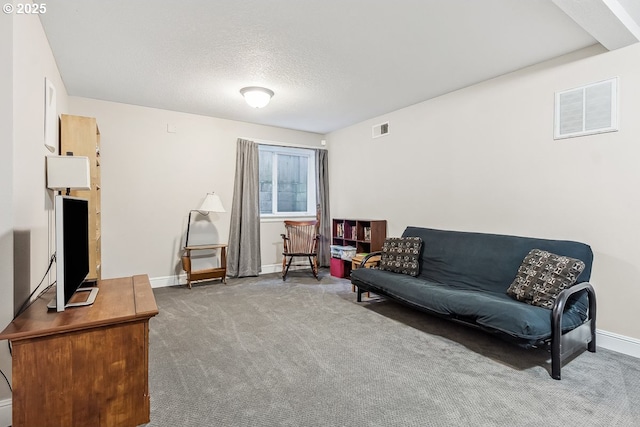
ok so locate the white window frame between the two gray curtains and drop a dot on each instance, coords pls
(307, 153)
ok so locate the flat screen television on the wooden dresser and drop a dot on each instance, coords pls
(72, 252)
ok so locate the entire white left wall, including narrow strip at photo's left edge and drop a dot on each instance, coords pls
(25, 214)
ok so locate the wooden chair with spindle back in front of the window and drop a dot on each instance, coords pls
(300, 240)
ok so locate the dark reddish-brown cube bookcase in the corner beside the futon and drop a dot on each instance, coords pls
(366, 235)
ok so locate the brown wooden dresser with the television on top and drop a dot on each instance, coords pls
(85, 366)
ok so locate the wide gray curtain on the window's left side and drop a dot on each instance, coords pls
(244, 235)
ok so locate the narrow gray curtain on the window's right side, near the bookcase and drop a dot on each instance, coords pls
(322, 192)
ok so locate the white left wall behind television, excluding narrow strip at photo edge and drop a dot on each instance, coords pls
(33, 210)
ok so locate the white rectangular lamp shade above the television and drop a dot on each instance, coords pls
(70, 172)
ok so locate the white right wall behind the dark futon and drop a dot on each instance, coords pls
(484, 159)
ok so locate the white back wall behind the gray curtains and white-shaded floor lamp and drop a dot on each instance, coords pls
(152, 178)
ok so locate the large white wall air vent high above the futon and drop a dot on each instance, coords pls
(587, 110)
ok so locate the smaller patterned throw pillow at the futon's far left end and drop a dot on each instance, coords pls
(401, 255)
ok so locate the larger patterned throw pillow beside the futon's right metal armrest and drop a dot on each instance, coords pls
(542, 276)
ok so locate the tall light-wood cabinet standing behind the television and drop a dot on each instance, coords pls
(79, 136)
